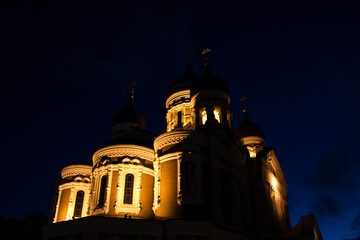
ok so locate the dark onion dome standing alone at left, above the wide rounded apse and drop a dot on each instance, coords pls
(130, 115)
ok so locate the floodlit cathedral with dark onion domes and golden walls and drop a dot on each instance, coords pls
(202, 179)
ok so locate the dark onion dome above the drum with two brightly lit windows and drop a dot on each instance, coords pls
(209, 81)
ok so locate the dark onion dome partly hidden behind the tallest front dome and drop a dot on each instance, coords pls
(183, 83)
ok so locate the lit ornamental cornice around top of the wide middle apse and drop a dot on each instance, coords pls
(124, 150)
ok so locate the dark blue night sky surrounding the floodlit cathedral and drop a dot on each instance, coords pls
(66, 69)
